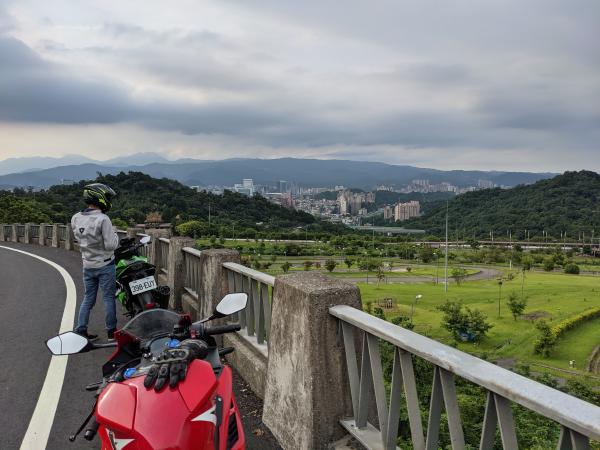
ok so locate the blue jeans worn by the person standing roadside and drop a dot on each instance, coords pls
(104, 278)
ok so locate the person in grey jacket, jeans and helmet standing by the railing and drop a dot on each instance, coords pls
(94, 232)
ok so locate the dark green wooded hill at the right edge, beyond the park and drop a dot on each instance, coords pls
(566, 203)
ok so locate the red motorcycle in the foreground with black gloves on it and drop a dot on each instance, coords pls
(195, 409)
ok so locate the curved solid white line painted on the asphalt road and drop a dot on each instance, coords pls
(40, 424)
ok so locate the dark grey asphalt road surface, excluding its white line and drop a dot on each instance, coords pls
(32, 299)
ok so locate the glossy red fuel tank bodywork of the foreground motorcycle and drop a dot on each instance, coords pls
(132, 417)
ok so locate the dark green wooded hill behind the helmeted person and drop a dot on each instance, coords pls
(139, 194)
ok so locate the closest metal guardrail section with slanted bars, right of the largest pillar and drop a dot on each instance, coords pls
(579, 420)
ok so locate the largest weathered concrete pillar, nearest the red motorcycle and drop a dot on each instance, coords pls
(306, 389)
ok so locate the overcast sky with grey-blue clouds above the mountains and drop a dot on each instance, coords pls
(488, 84)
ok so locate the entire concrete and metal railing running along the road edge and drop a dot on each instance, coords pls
(307, 348)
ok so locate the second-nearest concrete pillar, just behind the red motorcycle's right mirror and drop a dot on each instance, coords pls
(213, 279)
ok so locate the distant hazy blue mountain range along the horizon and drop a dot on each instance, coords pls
(306, 172)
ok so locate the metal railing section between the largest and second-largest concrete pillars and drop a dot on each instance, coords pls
(256, 318)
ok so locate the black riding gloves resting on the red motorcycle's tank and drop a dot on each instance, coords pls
(171, 365)
